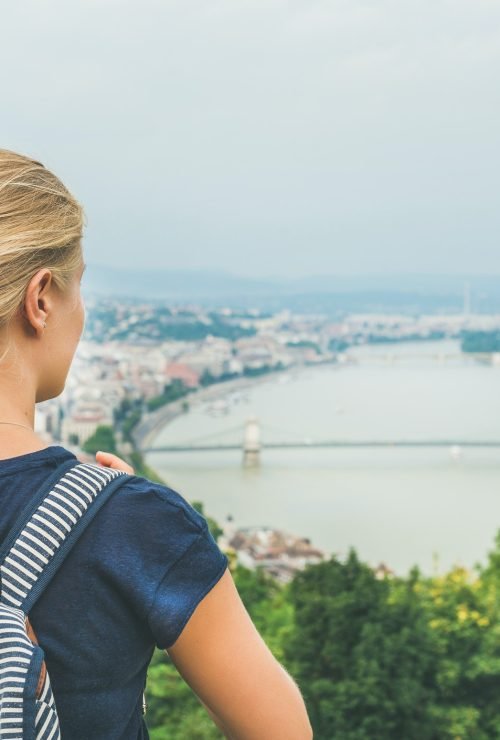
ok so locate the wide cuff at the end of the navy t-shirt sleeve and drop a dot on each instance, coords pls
(184, 585)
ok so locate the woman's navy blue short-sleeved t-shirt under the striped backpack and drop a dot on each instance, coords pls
(130, 583)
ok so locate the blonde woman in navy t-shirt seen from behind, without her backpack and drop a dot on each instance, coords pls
(146, 571)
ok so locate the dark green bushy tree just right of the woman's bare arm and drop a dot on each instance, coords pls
(362, 653)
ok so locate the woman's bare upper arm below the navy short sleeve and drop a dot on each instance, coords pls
(225, 661)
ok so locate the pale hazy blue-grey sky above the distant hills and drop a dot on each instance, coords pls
(266, 137)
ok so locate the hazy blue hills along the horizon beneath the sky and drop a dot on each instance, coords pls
(330, 294)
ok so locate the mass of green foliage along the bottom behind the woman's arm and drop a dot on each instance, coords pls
(376, 658)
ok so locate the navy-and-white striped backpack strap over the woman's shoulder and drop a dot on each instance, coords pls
(49, 527)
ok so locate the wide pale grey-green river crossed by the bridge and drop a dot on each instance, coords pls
(399, 506)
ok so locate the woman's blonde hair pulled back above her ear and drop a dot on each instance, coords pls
(41, 225)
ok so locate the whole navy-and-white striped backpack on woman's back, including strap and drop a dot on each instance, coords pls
(29, 558)
